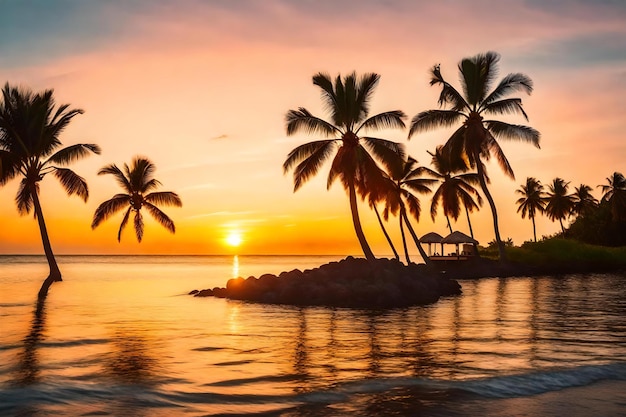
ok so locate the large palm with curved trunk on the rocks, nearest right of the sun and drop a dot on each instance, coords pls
(348, 102)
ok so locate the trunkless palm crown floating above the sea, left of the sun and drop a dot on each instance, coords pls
(138, 182)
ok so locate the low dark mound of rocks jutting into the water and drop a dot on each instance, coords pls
(351, 282)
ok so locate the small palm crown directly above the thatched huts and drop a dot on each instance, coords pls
(456, 187)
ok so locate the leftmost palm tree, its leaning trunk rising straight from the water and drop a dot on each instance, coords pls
(30, 126)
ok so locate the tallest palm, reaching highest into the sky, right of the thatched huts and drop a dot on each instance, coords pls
(477, 139)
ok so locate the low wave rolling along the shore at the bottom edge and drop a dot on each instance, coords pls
(76, 392)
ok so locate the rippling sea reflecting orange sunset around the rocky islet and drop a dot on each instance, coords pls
(120, 337)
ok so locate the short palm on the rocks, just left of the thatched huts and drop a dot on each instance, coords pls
(402, 183)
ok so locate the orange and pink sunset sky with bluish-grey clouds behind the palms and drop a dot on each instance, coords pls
(201, 88)
